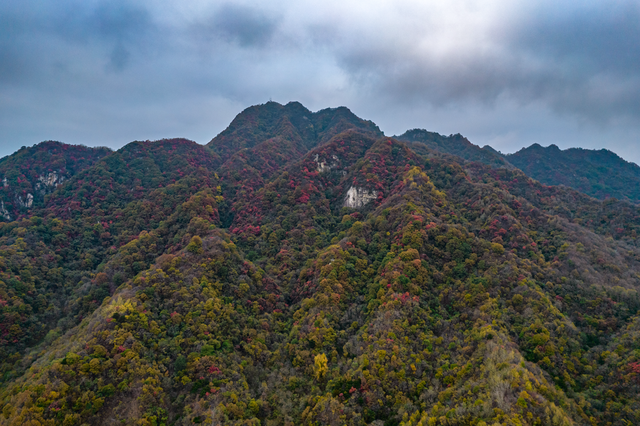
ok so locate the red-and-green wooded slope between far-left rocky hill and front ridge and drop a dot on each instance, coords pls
(51, 261)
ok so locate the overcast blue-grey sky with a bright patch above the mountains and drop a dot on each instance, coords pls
(506, 73)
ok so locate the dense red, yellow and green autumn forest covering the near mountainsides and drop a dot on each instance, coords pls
(305, 269)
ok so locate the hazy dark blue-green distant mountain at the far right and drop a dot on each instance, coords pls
(599, 173)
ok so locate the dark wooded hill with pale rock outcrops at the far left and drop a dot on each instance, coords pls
(27, 176)
